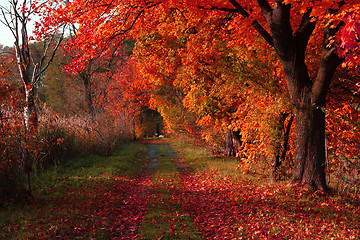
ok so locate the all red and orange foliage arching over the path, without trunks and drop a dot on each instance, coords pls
(213, 61)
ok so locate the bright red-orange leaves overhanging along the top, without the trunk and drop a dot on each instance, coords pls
(108, 20)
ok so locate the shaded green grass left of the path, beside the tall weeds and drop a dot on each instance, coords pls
(63, 194)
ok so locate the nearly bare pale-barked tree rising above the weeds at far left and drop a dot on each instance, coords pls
(16, 18)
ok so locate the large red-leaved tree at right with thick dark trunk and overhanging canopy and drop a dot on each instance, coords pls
(310, 40)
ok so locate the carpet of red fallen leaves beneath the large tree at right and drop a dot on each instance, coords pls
(242, 210)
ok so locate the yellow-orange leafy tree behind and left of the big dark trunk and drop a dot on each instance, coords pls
(236, 111)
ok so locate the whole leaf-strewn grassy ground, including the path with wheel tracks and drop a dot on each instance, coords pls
(169, 190)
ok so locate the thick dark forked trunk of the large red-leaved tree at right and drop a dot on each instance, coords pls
(307, 94)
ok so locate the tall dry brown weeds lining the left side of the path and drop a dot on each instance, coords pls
(56, 139)
